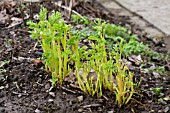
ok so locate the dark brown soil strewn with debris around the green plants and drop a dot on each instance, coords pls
(26, 88)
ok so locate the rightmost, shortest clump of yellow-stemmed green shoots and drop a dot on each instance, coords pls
(118, 78)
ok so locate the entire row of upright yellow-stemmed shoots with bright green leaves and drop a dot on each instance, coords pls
(94, 67)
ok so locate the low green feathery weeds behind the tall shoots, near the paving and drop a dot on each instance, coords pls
(113, 34)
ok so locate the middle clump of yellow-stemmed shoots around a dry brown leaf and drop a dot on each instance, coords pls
(90, 82)
